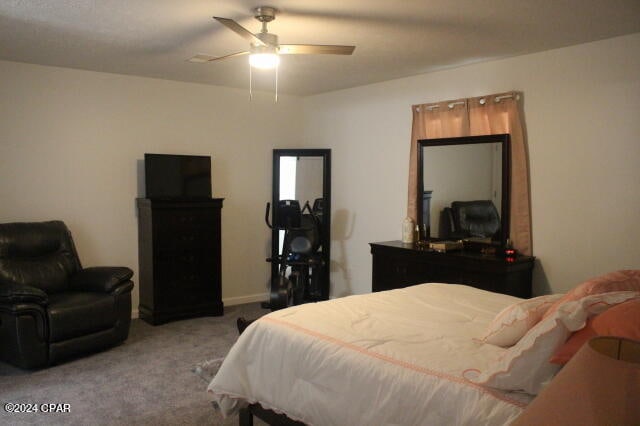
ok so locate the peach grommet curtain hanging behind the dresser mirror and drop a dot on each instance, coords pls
(484, 115)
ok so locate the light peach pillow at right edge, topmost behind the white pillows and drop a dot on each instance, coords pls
(625, 280)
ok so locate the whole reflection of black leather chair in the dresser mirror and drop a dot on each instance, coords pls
(470, 219)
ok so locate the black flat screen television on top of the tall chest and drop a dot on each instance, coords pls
(169, 176)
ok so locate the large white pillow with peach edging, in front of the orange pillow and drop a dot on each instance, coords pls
(525, 366)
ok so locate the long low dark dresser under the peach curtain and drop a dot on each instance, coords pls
(397, 265)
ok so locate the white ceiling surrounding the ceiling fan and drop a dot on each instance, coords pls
(393, 39)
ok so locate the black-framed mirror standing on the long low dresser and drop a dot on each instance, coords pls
(463, 188)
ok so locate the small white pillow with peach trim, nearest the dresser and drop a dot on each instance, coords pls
(515, 320)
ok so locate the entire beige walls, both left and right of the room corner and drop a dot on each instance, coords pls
(72, 141)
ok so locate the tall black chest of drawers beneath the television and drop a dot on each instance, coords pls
(179, 259)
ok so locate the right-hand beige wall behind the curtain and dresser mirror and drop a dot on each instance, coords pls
(582, 112)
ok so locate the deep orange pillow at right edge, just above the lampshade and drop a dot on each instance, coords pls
(622, 320)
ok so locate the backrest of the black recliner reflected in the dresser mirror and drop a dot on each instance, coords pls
(476, 218)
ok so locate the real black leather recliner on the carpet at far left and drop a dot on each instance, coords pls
(50, 307)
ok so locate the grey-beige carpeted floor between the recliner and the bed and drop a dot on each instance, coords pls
(148, 380)
